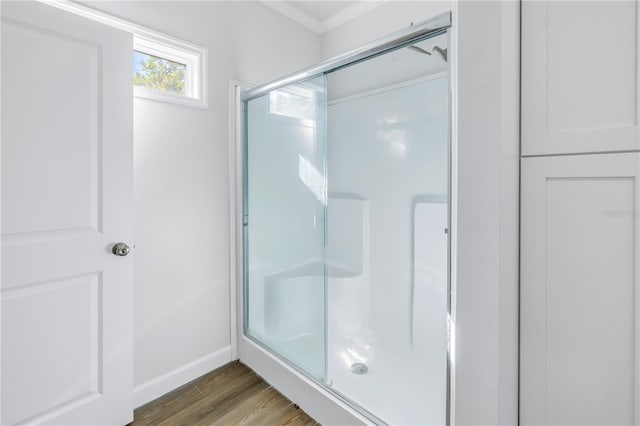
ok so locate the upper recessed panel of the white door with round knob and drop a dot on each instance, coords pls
(55, 123)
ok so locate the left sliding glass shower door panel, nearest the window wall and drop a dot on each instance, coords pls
(284, 222)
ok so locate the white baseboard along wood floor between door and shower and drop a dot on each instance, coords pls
(155, 388)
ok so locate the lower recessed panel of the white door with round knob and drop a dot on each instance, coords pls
(43, 382)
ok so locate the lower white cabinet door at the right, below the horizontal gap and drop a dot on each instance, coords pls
(579, 290)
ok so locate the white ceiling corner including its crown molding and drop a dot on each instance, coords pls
(321, 16)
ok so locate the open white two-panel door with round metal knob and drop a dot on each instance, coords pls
(67, 197)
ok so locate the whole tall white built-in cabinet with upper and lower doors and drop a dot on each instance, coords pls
(579, 295)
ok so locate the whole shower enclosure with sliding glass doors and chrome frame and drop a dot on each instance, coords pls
(346, 224)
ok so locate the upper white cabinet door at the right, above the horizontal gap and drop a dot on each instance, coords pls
(579, 76)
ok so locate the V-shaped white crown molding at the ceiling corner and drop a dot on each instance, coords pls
(317, 26)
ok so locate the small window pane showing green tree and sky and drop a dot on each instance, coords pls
(158, 74)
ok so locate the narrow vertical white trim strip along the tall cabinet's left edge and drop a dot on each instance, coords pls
(509, 241)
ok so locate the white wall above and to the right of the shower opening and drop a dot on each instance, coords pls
(486, 182)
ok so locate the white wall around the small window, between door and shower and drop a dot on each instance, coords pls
(181, 184)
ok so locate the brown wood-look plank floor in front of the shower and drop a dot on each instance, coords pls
(230, 395)
